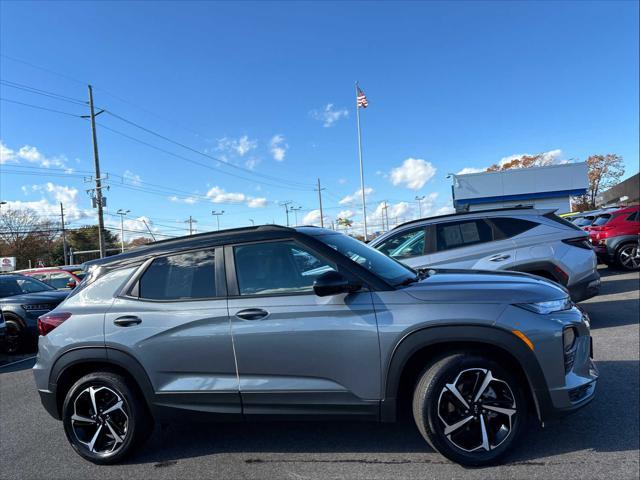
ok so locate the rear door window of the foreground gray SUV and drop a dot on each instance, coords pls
(180, 277)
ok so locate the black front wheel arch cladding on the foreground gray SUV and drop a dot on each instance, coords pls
(422, 346)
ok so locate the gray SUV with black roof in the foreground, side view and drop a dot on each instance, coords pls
(308, 323)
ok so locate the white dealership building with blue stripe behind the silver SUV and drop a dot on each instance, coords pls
(551, 186)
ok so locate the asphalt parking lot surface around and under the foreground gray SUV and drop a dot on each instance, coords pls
(600, 441)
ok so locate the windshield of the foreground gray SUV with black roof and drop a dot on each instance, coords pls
(377, 262)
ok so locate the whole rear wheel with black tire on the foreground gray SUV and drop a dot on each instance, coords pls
(106, 449)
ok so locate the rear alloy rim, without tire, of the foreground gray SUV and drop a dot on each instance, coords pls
(100, 420)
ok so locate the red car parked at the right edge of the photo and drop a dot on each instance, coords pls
(615, 237)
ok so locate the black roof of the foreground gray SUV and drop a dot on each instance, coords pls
(260, 232)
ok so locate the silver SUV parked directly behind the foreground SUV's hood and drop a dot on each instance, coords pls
(519, 239)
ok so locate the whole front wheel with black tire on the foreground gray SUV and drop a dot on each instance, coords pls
(432, 398)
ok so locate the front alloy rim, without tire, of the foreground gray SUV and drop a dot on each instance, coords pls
(477, 410)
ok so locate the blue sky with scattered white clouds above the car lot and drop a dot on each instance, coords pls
(269, 87)
